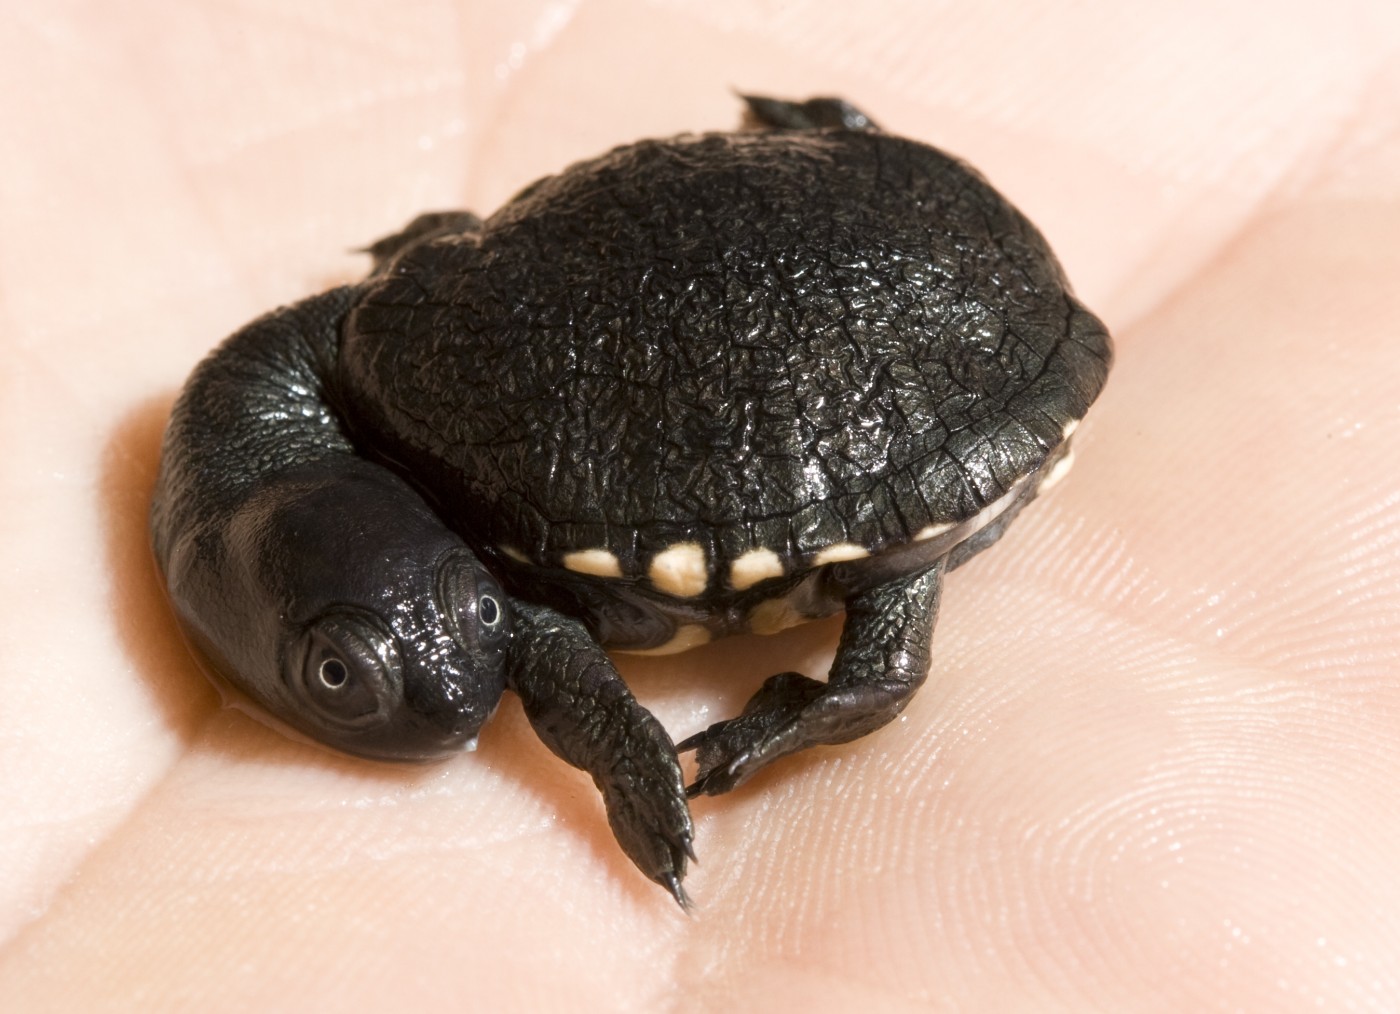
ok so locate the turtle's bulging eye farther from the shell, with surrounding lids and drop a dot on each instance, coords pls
(349, 674)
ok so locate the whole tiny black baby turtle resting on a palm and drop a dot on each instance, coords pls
(702, 386)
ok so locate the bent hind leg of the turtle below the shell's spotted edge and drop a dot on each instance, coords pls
(883, 659)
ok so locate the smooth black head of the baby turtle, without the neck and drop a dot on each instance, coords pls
(349, 613)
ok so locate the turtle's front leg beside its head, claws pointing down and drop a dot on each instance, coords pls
(587, 716)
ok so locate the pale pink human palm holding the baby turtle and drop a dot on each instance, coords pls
(1157, 763)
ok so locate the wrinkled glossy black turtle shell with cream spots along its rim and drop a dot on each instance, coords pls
(741, 355)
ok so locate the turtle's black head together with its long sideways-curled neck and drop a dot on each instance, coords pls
(283, 548)
